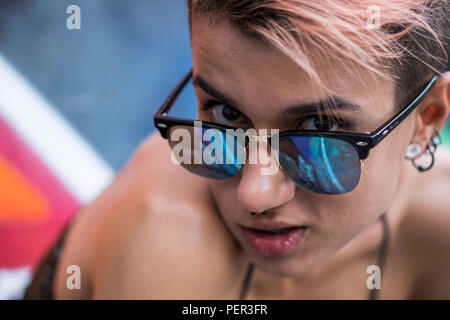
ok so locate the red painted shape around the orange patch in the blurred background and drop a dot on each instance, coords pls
(22, 241)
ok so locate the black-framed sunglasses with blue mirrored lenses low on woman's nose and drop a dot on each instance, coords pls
(325, 162)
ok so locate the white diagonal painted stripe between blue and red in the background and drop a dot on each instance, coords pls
(63, 150)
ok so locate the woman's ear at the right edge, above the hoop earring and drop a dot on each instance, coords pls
(433, 111)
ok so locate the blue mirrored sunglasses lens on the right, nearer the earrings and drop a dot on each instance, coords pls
(320, 164)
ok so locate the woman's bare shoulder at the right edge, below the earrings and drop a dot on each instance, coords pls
(425, 230)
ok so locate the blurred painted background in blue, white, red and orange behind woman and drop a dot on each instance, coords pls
(73, 106)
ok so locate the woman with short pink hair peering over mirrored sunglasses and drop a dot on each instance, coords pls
(377, 228)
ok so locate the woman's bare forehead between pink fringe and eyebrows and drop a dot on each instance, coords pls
(252, 71)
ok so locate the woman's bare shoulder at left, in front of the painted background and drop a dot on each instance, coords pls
(155, 234)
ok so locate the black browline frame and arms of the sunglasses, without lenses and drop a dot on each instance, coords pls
(362, 142)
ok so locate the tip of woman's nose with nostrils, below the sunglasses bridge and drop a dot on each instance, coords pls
(258, 192)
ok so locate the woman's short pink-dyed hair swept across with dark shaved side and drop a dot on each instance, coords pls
(409, 45)
